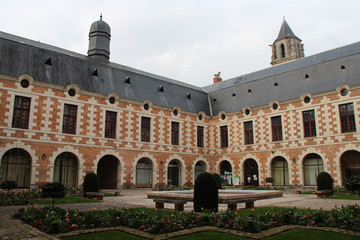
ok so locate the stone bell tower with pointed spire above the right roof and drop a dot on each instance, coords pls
(287, 46)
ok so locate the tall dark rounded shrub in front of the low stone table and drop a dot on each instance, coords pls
(206, 195)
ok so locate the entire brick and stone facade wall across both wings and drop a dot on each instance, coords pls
(44, 140)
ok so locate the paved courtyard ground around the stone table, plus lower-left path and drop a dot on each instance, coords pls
(14, 229)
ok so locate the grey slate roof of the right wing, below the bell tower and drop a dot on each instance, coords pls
(313, 74)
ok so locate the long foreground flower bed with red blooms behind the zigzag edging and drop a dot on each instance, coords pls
(61, 221)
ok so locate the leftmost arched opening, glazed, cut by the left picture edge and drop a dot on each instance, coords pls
(16, 166)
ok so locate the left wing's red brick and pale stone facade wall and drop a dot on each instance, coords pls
(44, 139)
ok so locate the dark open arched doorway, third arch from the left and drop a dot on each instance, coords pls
(107, 170)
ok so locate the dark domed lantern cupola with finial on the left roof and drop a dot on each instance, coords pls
(99, 41)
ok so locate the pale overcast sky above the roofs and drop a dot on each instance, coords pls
(186, 40)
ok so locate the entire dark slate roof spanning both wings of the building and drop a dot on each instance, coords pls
(313, 74)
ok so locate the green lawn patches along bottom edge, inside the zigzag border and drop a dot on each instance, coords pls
(295, 234)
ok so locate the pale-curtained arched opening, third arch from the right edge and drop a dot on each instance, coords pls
(280, 171)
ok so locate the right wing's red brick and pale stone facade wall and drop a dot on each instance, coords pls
(330, 143)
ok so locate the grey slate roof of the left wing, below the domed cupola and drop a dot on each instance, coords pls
(23, 56)
